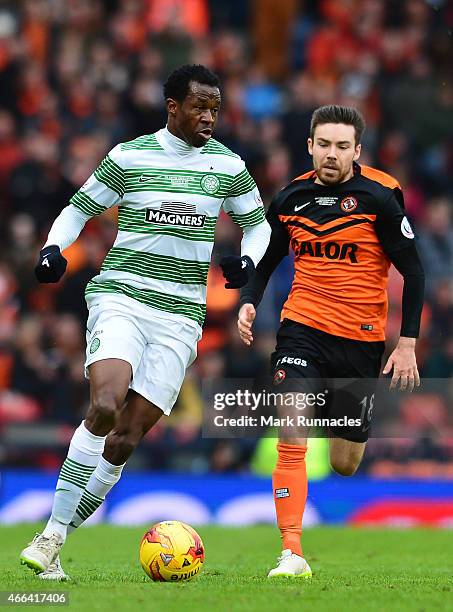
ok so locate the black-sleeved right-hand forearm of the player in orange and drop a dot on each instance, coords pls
(408, 264)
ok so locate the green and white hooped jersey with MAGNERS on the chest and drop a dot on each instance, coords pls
(169, 196)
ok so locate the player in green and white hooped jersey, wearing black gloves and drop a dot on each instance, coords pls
(147, 305)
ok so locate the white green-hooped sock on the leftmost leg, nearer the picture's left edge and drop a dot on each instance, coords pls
(84, 452)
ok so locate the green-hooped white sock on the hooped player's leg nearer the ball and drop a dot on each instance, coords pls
(101, 481)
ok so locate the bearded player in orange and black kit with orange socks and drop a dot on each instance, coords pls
(346, 225)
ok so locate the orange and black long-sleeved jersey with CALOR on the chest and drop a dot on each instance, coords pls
(344, 238)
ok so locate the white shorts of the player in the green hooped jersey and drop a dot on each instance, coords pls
(159, 349)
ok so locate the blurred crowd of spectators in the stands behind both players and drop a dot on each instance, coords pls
(79, 76)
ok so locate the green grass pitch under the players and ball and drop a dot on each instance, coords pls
(363, 569)
